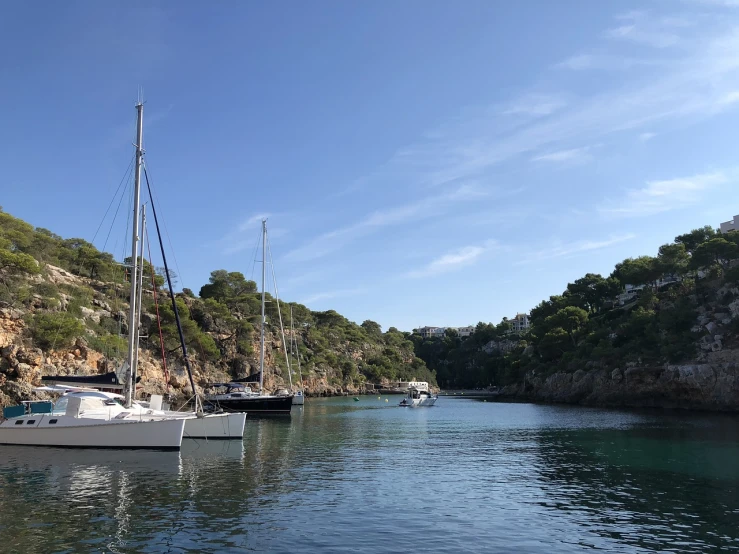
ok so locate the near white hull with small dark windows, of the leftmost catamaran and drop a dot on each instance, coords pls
(72, 432)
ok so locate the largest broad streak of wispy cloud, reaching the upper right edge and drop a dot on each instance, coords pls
(694, 83)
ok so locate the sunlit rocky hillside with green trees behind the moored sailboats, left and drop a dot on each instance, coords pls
(64, 309)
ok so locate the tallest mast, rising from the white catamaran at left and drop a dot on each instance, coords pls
(134, 254)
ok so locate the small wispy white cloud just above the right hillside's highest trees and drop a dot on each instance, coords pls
(662, 196)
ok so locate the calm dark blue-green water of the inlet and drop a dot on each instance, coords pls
(339, 475)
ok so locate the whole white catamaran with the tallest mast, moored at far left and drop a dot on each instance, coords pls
(94, 419)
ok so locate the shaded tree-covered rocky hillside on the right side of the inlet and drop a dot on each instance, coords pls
(651, 314)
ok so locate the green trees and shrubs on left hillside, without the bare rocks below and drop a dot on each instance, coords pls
(220, 325)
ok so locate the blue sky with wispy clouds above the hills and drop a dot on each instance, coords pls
(420, 162)
